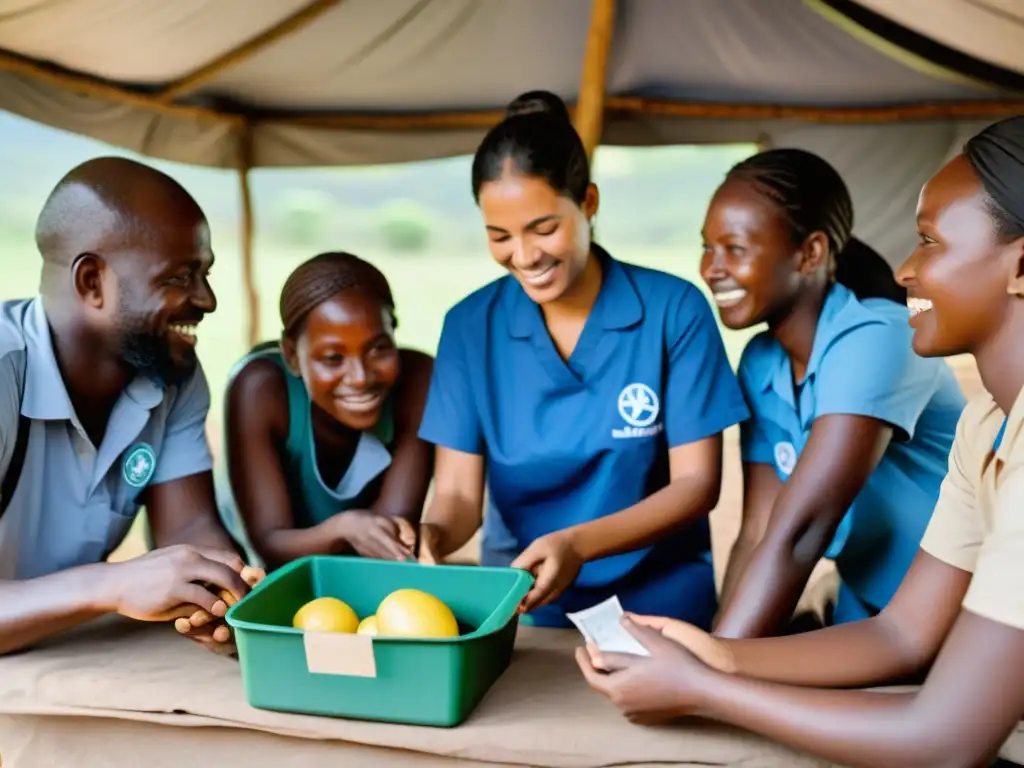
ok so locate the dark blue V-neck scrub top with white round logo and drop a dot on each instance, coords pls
(568, 443)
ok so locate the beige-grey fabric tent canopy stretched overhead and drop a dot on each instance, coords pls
(337, 82)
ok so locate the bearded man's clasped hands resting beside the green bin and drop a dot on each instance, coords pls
(192, 586)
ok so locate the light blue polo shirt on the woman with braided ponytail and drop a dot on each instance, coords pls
(863, 363)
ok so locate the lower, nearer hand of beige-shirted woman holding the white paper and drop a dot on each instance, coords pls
(651, 690)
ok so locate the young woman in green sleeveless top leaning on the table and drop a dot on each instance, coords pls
(322, 449)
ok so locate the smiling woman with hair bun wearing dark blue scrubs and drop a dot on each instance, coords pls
(589, 395)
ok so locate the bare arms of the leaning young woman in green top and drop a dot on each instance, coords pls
(258, 430)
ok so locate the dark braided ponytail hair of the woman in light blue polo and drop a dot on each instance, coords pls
(814, 198)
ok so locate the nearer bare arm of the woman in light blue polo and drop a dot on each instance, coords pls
(841, 454)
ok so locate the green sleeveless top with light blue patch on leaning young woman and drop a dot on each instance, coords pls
(313, 501)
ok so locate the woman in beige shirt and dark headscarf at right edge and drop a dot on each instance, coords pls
(959, 615)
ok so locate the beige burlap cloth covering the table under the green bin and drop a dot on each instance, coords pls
(120, 694)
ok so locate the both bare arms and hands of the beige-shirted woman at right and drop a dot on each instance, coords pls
(967, 708)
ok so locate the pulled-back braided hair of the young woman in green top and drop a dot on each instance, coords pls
(324, 276)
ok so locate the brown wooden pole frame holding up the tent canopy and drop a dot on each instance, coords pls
(588, 114)
